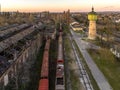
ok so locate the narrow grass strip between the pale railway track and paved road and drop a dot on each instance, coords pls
(95, 86)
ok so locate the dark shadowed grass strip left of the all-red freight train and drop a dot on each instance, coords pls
(35, 71)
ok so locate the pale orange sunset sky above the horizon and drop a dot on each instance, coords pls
(59, 5)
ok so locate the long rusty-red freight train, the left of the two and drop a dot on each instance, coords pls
(44, 80)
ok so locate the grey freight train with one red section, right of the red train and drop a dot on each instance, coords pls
(59, 84)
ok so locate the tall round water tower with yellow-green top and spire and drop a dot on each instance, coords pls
(92, 17)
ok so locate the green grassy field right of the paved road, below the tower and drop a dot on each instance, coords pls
(108, 64)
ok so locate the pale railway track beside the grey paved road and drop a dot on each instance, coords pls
(84, 78)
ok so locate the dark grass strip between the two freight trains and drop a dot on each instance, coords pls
(52, 64)
